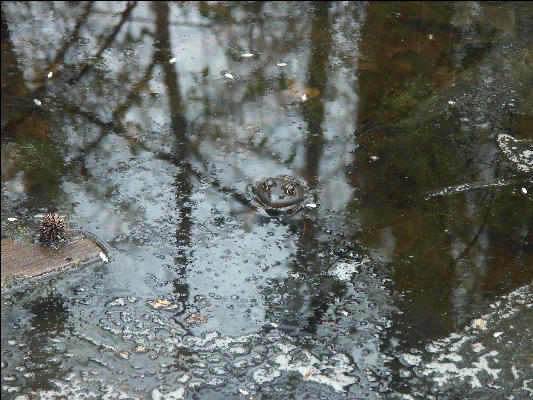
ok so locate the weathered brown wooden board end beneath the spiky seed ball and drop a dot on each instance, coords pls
(21, 260)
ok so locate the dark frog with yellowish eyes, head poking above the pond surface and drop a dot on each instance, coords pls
(282, 194)
